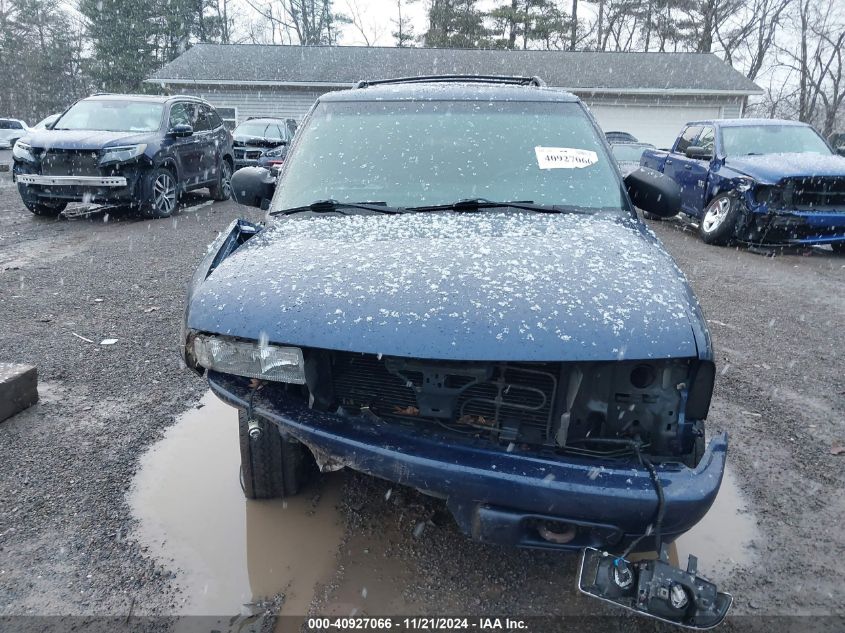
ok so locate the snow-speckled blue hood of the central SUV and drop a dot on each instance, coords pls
(470, 286)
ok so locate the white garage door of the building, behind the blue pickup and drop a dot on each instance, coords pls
(658, 125)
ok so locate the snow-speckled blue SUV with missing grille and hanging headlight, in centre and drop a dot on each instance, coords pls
(499, 331)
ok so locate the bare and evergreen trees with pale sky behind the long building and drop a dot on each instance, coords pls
(54, 51)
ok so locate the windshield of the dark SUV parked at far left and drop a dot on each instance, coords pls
(112, 116)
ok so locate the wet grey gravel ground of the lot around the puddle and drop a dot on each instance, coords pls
(66, 464)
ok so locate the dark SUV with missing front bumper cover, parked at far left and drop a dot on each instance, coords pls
(138, 151)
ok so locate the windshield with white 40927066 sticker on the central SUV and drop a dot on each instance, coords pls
(408, 154)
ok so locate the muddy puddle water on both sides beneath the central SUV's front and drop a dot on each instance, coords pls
(230, 553)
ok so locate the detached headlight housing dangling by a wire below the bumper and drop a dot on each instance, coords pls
(654, 588)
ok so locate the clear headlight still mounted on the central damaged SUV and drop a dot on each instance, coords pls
(250, 359)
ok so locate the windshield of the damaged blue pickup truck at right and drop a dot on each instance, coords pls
(771, 139)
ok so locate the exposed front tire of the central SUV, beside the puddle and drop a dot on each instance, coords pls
(272, 467)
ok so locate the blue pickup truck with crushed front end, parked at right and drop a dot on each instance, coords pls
(757, 181)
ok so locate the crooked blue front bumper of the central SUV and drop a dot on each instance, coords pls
(506, 495)
